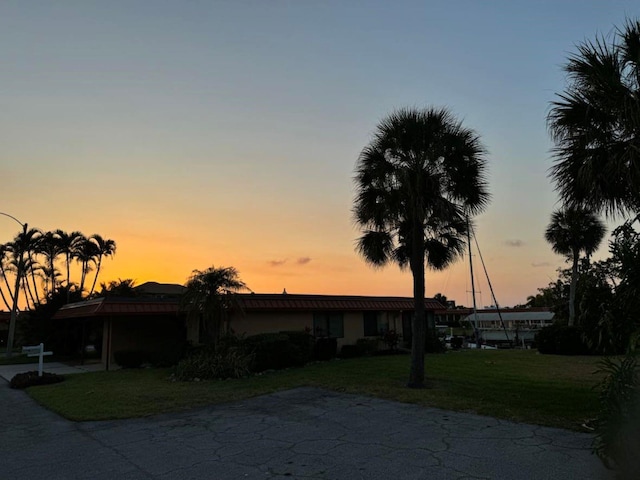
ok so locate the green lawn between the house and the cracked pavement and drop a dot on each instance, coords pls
(518, 385)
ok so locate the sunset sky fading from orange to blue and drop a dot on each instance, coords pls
(199, 133)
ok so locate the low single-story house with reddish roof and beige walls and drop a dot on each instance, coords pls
(151, 323)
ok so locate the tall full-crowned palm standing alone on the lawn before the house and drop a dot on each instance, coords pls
(416, 182)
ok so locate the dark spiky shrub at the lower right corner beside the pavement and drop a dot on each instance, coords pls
(617, 440)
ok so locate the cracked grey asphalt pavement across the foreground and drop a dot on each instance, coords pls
(305, 433)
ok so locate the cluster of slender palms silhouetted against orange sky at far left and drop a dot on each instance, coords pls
(36, 264)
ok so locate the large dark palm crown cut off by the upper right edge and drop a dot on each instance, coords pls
(595, 125)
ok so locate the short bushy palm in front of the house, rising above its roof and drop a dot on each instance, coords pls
(209, 295)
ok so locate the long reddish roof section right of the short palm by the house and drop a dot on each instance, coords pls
(295, 302)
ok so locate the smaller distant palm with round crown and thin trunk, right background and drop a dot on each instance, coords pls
(571, 231)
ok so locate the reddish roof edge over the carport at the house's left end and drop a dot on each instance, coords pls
(117, 306)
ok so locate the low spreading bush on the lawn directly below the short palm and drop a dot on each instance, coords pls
(208, 363)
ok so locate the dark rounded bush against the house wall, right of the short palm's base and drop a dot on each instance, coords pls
(274, 351)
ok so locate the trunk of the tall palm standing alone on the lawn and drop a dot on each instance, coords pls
(418, 327)
